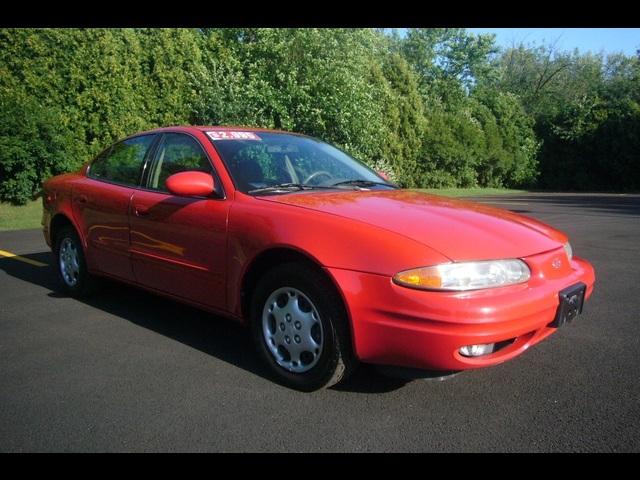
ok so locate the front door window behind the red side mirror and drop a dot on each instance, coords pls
(177, 153)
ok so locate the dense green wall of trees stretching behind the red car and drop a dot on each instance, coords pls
(435, 108)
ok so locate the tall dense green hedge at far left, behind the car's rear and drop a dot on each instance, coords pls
(85, 88)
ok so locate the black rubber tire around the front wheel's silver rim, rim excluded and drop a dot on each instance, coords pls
(314, 286)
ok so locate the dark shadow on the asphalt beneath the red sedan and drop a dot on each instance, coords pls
(213, 335)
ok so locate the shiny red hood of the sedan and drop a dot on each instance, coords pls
(460, 230)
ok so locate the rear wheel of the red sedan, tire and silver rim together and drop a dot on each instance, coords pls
(70, 264)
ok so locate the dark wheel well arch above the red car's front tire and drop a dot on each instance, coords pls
(269, 259)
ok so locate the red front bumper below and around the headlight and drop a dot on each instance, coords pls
(394, 325)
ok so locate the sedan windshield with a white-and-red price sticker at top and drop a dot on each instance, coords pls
(259, 160)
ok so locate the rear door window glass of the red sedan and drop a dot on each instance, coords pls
(123, 162)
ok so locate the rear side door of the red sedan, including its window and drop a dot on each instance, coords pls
(101, 204)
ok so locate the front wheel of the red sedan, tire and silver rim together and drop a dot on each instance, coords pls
(318, 353)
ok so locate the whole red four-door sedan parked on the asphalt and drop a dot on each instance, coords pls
(327, 262)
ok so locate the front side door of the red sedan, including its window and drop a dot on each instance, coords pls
(178, 244)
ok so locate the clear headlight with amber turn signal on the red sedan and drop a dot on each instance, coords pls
(465, 276)
